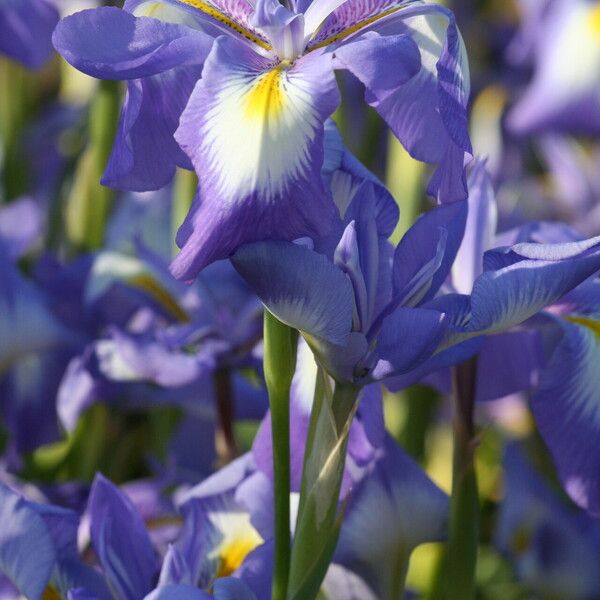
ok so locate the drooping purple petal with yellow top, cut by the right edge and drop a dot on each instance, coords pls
(567, 410)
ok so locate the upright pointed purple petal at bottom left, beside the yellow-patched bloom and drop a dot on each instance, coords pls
(121, 541)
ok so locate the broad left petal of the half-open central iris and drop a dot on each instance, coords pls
(300, 287)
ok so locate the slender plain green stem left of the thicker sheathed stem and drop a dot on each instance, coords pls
(279, 365)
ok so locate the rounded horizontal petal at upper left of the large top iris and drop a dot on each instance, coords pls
(110, 43)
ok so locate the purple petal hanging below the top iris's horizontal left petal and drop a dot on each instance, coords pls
(145, 153)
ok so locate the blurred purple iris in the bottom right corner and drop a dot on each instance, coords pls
(550, 544)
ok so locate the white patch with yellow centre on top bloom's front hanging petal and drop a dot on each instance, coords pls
(258, 132)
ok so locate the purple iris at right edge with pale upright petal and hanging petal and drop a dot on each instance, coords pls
(540, 299)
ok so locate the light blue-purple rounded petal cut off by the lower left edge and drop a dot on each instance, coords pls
(27, 551)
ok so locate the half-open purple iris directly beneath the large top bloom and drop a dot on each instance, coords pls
(354, 302)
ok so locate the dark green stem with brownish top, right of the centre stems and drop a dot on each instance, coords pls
(464, 506)
